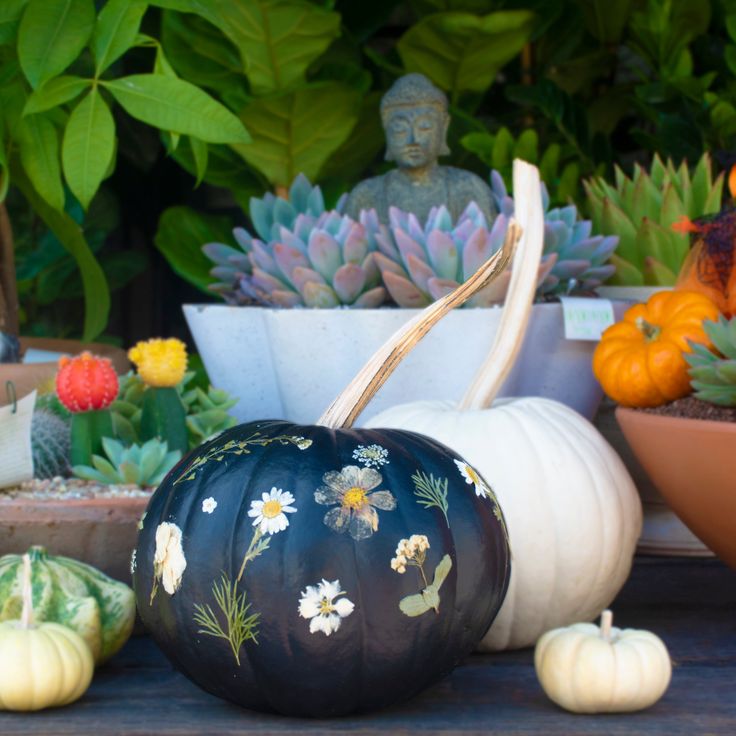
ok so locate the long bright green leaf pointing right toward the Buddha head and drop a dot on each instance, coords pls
(177, 106)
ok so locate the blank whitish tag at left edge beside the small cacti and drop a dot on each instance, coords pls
(16, 458)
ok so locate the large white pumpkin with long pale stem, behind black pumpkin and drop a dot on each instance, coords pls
(571, 508)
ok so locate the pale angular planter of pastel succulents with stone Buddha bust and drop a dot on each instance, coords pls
(314, 283)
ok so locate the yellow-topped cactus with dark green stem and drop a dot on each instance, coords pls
(161, 365)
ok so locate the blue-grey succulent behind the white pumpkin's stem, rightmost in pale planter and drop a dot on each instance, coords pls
(578, 259)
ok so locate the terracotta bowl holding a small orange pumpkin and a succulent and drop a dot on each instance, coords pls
(670, 366)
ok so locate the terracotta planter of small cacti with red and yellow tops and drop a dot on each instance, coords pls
(100, 443)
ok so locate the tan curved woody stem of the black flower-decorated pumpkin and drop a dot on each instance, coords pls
(346, 408)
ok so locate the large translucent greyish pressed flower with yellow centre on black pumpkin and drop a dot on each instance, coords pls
(351, 491)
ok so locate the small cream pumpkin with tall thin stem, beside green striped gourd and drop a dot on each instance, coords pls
(41, 666)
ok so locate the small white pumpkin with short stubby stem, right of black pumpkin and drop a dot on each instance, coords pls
(587, 669)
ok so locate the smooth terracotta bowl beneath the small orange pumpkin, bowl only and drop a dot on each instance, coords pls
(691, 463)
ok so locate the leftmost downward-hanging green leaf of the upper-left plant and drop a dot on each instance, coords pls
(39, 154)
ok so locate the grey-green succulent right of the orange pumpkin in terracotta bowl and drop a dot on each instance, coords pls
(713, 373)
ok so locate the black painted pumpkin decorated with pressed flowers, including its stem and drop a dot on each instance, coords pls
(320, 570)
